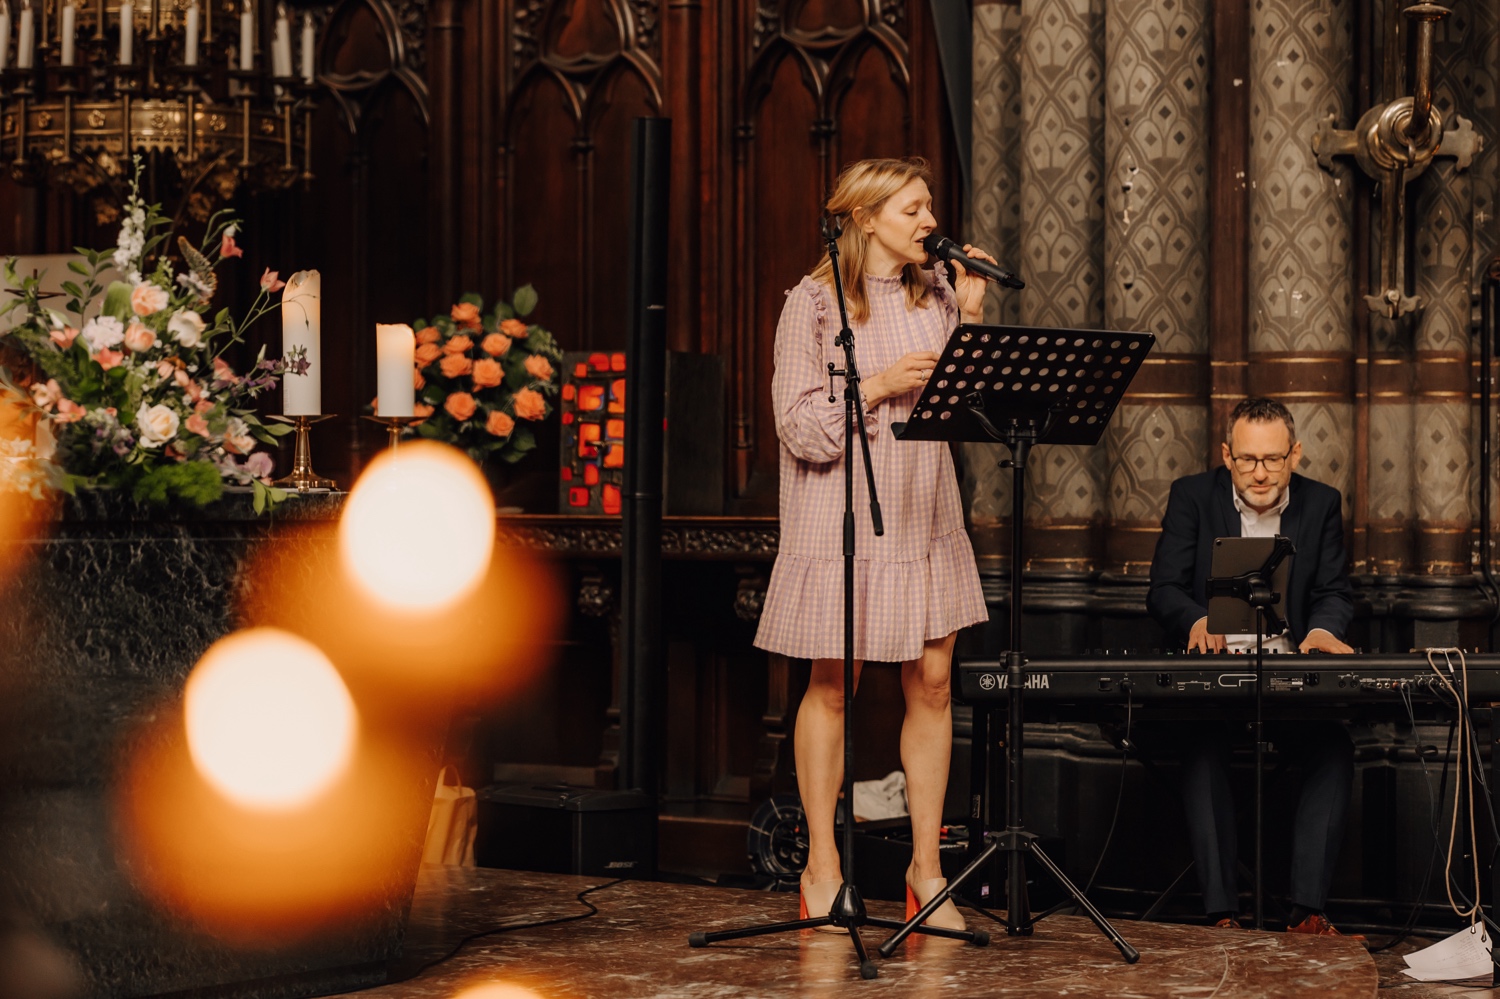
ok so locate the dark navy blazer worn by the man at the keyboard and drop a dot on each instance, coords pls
(1202, 508)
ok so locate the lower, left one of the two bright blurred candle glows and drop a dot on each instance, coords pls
(269, 722)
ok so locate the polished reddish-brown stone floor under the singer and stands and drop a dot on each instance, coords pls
(637, 946)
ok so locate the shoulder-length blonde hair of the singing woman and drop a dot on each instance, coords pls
(862, 191)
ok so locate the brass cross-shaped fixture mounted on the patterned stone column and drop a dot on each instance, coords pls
(1393, 145)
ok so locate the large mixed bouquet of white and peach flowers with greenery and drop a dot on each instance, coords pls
(131, 380)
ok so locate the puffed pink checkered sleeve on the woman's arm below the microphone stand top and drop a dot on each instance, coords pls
(809, 425)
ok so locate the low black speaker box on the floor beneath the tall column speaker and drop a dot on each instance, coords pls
(565, 830)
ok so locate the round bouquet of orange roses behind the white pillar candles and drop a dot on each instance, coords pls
(484, 377)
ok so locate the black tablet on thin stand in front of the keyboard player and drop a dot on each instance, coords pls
(1247, 589)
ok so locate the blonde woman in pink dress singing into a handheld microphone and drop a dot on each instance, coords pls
(914, 587)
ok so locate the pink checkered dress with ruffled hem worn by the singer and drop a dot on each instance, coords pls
(919, 581)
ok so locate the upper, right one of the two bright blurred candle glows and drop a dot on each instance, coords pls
(419, 529)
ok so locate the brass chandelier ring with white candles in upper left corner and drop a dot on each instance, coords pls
(209, 85)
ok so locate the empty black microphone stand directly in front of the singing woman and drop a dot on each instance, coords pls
(848, 910)
